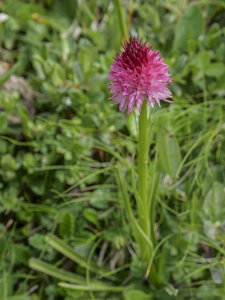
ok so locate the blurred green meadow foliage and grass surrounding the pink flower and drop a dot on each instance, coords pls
(61, 139)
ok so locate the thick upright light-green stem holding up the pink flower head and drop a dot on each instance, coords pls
(145, 203)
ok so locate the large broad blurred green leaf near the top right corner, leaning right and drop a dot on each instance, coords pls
(189, 26)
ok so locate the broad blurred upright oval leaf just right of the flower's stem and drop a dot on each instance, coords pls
(169, 153)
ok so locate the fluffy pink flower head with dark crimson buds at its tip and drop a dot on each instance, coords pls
(138, 74)
